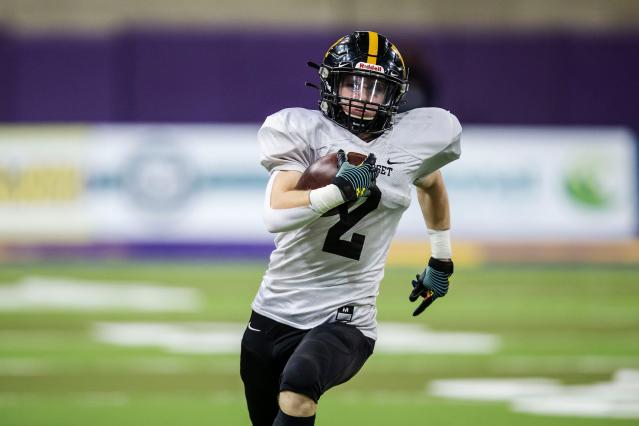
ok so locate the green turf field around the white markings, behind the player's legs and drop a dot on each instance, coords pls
(574, 324)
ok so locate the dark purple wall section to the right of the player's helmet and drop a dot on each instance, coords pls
(538, 78)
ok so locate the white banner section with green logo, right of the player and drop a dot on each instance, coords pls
(541, 184)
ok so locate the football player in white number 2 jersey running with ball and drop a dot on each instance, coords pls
(313, 321)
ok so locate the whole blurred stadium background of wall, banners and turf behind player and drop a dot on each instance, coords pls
(131, 242)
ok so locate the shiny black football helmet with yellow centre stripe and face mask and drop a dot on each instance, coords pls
(363, 80)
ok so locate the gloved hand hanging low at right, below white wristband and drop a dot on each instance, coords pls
(432, 283)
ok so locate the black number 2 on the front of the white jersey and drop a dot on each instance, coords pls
(351, 249)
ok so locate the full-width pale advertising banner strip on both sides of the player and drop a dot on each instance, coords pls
(204, 183)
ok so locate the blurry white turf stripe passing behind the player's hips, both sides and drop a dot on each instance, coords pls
(219, 338)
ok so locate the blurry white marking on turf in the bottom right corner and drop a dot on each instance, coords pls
(618, 398)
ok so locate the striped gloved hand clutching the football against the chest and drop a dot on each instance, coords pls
(355, 181)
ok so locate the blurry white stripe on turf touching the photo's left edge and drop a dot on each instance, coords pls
(38, 293)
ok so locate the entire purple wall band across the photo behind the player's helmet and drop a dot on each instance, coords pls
(209, 76)
